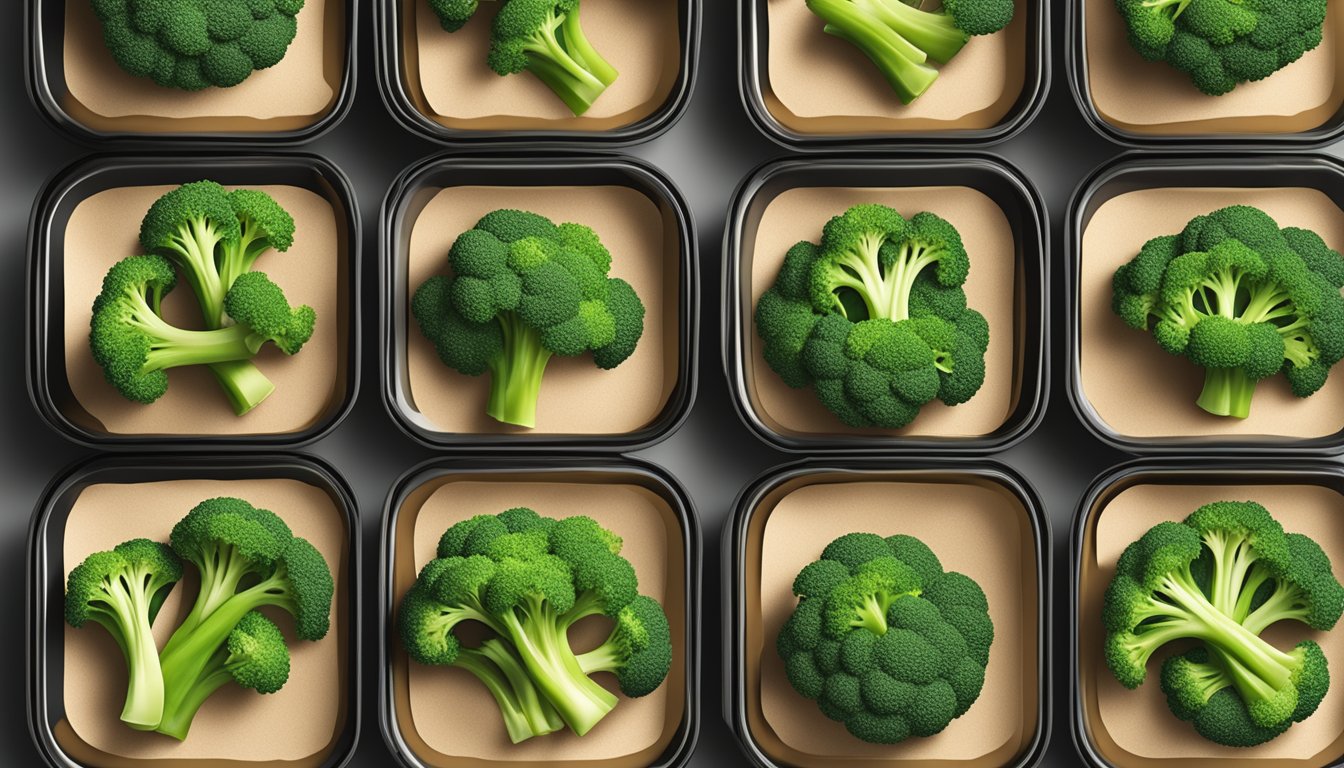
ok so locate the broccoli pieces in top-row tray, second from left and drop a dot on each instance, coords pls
(544, 38)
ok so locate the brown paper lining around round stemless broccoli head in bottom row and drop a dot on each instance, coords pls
(975, 527)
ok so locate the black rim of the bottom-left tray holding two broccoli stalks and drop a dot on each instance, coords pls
(36, 588)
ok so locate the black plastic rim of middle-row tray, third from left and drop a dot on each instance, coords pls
(1026, 217)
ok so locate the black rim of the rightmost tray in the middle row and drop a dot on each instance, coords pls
(1075, 227)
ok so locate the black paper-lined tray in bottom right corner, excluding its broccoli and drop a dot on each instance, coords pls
(1120, 728)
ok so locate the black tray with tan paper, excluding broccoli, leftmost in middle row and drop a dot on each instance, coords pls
(89, 217)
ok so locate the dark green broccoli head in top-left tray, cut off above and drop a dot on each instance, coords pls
(193, 45)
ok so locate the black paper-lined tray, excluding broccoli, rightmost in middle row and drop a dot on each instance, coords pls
(1112, 367)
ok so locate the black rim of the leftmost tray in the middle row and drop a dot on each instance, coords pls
(36, 313)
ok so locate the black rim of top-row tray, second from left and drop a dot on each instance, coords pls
(393, 92)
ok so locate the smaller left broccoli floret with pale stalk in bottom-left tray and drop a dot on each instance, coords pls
(122, 591)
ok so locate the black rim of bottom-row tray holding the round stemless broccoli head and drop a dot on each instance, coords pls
(741, 563)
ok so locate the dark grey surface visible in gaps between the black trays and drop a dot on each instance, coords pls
(708, 154)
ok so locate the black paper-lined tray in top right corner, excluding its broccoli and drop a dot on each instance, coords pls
(1136, 103)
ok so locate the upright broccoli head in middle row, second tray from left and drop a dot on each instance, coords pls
(522, 291)
